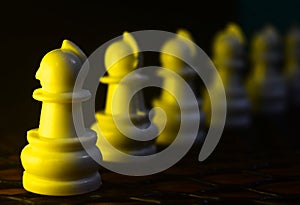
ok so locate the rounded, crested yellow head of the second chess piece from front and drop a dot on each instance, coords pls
(121, 57)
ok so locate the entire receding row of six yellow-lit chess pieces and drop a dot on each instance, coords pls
(55, 161)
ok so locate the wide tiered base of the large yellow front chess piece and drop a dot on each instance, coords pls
(61, 167)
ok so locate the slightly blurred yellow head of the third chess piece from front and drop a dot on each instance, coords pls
(176, 50)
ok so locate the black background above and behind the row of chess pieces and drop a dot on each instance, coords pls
(29, 30)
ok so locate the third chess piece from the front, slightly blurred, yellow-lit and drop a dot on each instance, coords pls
(183, 48)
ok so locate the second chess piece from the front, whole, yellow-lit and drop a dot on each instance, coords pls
(118, 65)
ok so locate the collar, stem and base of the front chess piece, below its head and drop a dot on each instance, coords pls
(56, 164)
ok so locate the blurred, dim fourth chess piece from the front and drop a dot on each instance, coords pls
(228, 57)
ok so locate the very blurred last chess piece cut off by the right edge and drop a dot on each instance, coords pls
(292, 66)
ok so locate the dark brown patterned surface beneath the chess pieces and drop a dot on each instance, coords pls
(260, 166)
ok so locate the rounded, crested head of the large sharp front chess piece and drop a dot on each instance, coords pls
(59, 68)
